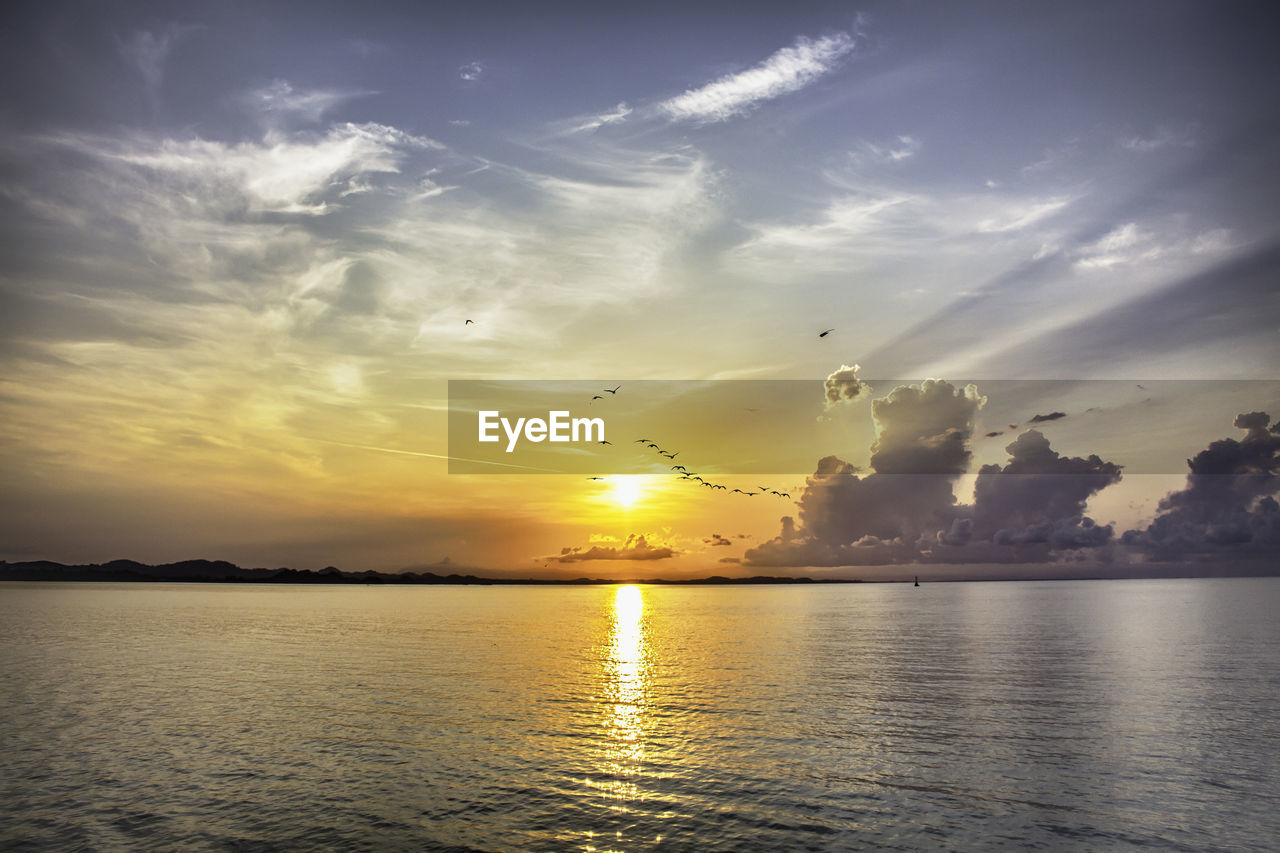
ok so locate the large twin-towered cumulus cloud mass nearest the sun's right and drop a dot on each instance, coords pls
(906, 510)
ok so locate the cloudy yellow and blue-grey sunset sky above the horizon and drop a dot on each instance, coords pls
(243, 243)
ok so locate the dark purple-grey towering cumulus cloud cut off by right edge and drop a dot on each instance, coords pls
(1228, 507)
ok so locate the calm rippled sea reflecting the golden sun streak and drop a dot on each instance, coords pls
(1086, 715)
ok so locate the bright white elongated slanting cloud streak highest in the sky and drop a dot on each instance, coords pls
(788, 71)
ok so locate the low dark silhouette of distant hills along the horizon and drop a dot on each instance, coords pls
(223, 572)
